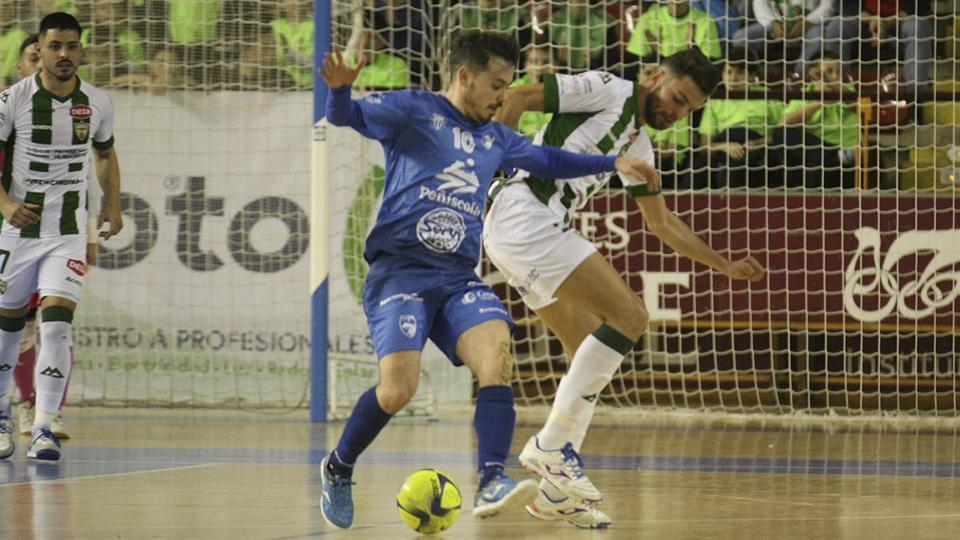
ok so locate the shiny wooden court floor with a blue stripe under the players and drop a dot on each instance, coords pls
(186, 474)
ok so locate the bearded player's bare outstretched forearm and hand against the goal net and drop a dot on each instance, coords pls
(675, 233)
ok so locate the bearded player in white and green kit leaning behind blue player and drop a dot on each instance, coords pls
(560, 275)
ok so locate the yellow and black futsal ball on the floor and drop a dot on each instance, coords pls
(429, 501)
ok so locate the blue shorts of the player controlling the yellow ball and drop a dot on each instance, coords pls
(407, 305)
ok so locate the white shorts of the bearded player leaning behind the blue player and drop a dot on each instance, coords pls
(530, 245)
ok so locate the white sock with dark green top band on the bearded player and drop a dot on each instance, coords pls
(593, 365)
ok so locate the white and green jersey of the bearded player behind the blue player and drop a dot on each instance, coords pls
(594, 113)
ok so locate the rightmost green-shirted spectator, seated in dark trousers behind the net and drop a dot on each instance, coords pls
(821, 137)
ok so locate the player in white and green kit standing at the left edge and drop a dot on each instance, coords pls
(48, 126)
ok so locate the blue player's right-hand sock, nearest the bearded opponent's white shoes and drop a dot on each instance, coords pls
(494, 421)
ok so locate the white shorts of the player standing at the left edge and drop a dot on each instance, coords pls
(52, 266)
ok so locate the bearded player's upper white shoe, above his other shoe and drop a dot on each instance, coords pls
(561, 467)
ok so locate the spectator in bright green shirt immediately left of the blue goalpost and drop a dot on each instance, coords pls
(293, 34)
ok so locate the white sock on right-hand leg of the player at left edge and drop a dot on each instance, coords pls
(53, 370)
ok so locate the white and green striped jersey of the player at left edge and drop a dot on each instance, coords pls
(47, 141)
